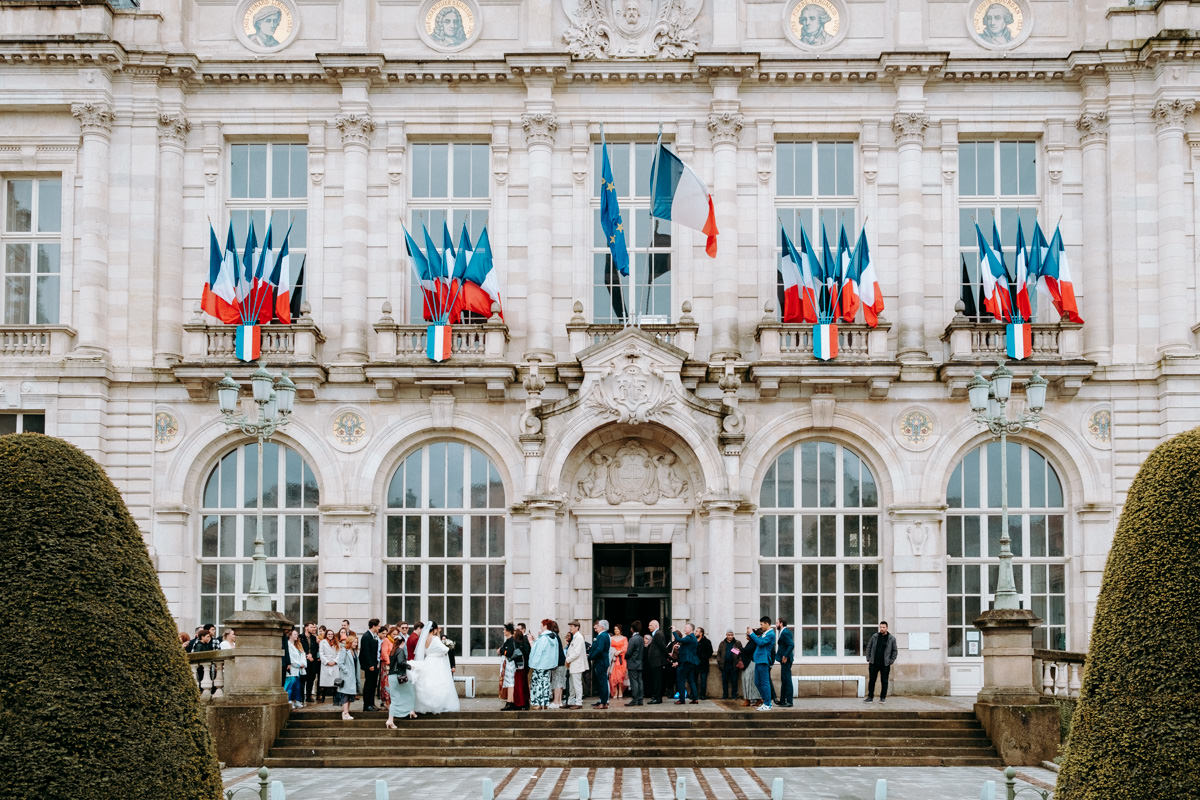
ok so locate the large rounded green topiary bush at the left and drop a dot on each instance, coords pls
(97, 700)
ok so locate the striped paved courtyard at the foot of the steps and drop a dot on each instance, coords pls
(815, 784)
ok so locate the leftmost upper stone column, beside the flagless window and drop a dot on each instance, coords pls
(97, 123)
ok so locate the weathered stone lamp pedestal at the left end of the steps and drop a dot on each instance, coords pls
(248, 719)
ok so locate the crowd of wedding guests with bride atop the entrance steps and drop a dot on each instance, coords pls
(410, 669)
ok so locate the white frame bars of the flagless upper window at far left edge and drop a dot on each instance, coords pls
(35, 240)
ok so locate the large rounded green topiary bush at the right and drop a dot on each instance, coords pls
(1135, 736)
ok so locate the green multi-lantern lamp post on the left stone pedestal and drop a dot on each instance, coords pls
(274, 398)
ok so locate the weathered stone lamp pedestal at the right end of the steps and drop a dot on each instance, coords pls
(1024, 730)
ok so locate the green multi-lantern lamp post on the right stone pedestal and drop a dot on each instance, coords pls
(989, 406)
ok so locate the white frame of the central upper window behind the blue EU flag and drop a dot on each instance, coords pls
(632, 206)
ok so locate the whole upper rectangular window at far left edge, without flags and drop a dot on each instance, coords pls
(32, 243)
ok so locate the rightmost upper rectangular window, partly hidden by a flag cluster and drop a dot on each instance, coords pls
(998, 182)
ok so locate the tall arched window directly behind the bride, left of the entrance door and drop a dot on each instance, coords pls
(446, 545)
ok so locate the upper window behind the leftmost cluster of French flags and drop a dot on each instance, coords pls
(269, 185)
